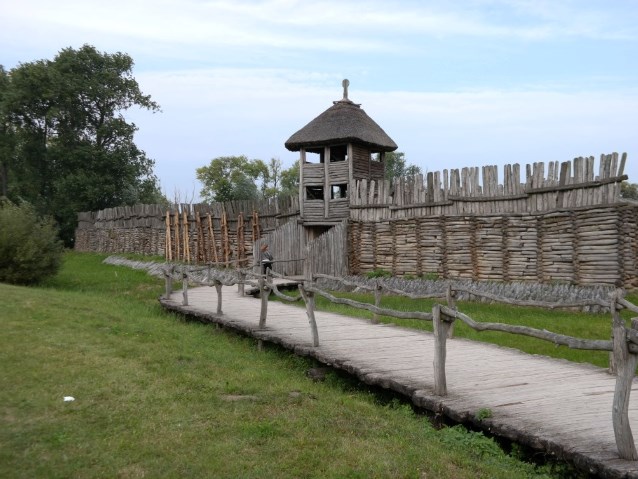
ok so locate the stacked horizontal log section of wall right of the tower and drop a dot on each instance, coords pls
(578, 246)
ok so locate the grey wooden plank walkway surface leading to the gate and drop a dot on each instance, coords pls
(552, 405)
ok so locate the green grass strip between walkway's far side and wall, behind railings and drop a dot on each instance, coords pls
(571, 323)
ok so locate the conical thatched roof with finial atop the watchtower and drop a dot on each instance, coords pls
(343, 122)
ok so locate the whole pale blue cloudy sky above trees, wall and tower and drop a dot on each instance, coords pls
(454, 84)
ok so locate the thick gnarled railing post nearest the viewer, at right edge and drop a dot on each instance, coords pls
(625, 365)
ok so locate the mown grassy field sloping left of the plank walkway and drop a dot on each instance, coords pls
(156, 396)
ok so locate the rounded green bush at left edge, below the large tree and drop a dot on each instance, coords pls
(30, 250)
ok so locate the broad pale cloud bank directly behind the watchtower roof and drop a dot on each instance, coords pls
(221, 112)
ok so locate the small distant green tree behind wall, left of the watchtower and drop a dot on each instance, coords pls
(229, 178)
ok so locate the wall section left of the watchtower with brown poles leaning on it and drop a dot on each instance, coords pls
(220, 233)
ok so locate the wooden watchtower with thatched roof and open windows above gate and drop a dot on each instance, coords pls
(340, 146)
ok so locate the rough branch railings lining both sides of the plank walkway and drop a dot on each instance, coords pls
(623, 345)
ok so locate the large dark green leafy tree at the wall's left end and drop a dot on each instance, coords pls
(73, 150)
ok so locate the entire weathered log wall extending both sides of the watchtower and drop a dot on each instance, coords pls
(567, 226)
